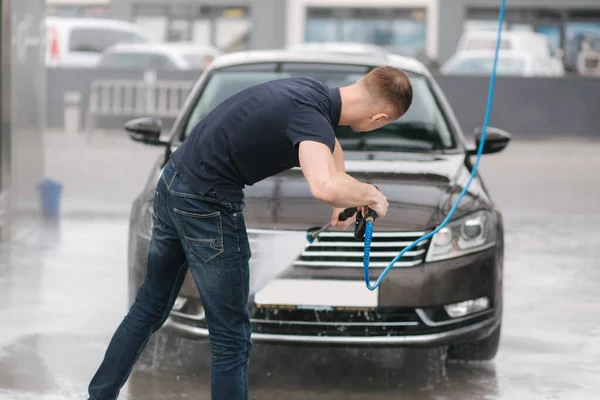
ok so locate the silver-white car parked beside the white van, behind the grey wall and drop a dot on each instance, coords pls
(178, 56)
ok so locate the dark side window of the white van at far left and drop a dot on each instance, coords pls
(96, 40)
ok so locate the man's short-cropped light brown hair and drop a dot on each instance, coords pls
(389, 86)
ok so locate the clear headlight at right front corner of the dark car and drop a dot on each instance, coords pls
(469, 234)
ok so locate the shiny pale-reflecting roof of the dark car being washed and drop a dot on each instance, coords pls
(367, 59)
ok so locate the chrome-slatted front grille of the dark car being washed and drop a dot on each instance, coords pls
(341, 249)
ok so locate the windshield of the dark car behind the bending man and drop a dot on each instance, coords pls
(422, 129)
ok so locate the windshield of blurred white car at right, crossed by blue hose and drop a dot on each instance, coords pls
(484, 66)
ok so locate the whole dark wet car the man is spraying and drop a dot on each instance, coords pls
(446, 292)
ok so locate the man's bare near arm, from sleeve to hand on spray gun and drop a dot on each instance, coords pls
(327, 183)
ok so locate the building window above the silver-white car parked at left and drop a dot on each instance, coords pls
(227, 28)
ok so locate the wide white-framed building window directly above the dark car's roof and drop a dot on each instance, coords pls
(398, 30)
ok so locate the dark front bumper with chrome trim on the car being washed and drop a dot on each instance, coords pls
(408, 299)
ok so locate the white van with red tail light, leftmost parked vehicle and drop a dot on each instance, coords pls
(79, 42)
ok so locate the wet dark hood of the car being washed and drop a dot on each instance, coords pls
(420, 190)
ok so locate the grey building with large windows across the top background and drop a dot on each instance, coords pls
(409, 26)
